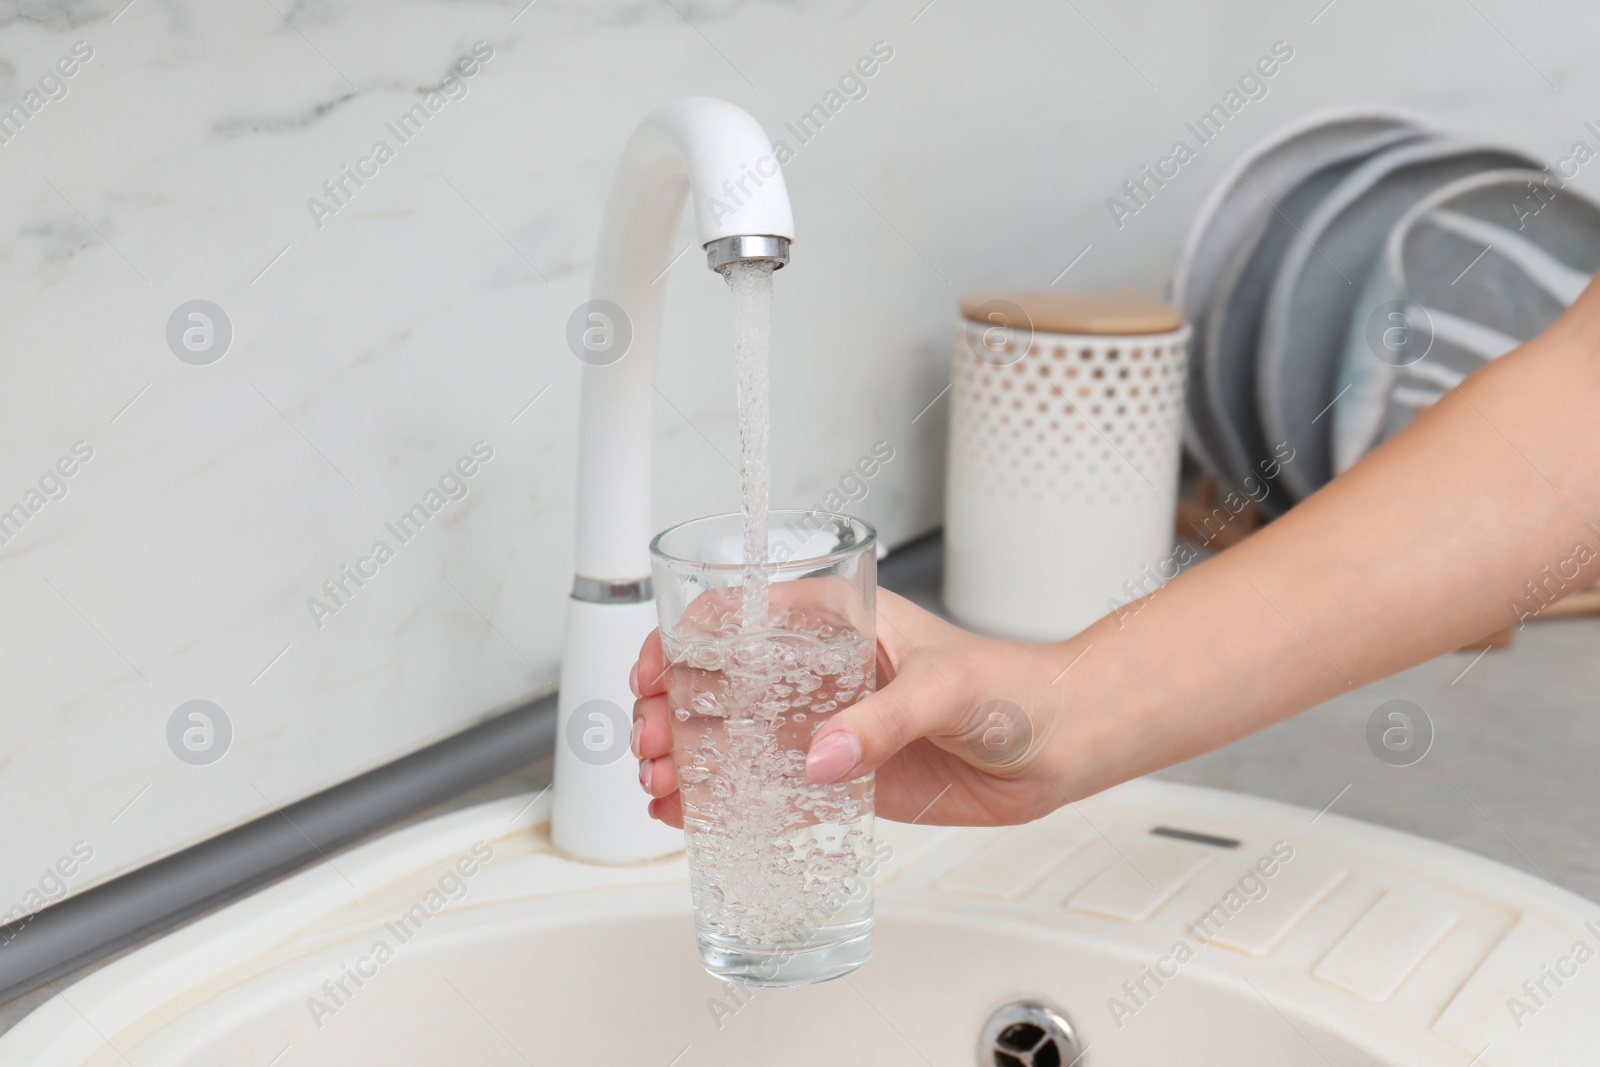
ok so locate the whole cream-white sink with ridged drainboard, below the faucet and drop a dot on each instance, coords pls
(1167, 924)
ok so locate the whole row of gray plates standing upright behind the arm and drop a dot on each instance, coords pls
(1351, 270)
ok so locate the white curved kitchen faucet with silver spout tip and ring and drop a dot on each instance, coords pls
(719, 154)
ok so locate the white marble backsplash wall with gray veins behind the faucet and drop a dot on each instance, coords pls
(399, 316)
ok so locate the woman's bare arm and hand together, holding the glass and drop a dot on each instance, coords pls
(1446, 533)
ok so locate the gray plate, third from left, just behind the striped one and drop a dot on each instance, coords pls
(1321, 282)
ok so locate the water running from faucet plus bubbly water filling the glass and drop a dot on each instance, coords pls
(780, 866)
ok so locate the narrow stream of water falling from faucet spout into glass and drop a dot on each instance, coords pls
(753, 332)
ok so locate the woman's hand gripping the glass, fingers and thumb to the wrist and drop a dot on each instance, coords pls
(958, 729)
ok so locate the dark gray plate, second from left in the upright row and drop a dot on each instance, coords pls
(1238, 305)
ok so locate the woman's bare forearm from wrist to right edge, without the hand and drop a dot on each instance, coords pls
(1425, 546)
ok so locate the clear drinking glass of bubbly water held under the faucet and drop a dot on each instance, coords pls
(761, 658)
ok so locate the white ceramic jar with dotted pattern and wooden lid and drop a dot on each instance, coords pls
(1066, 426)
